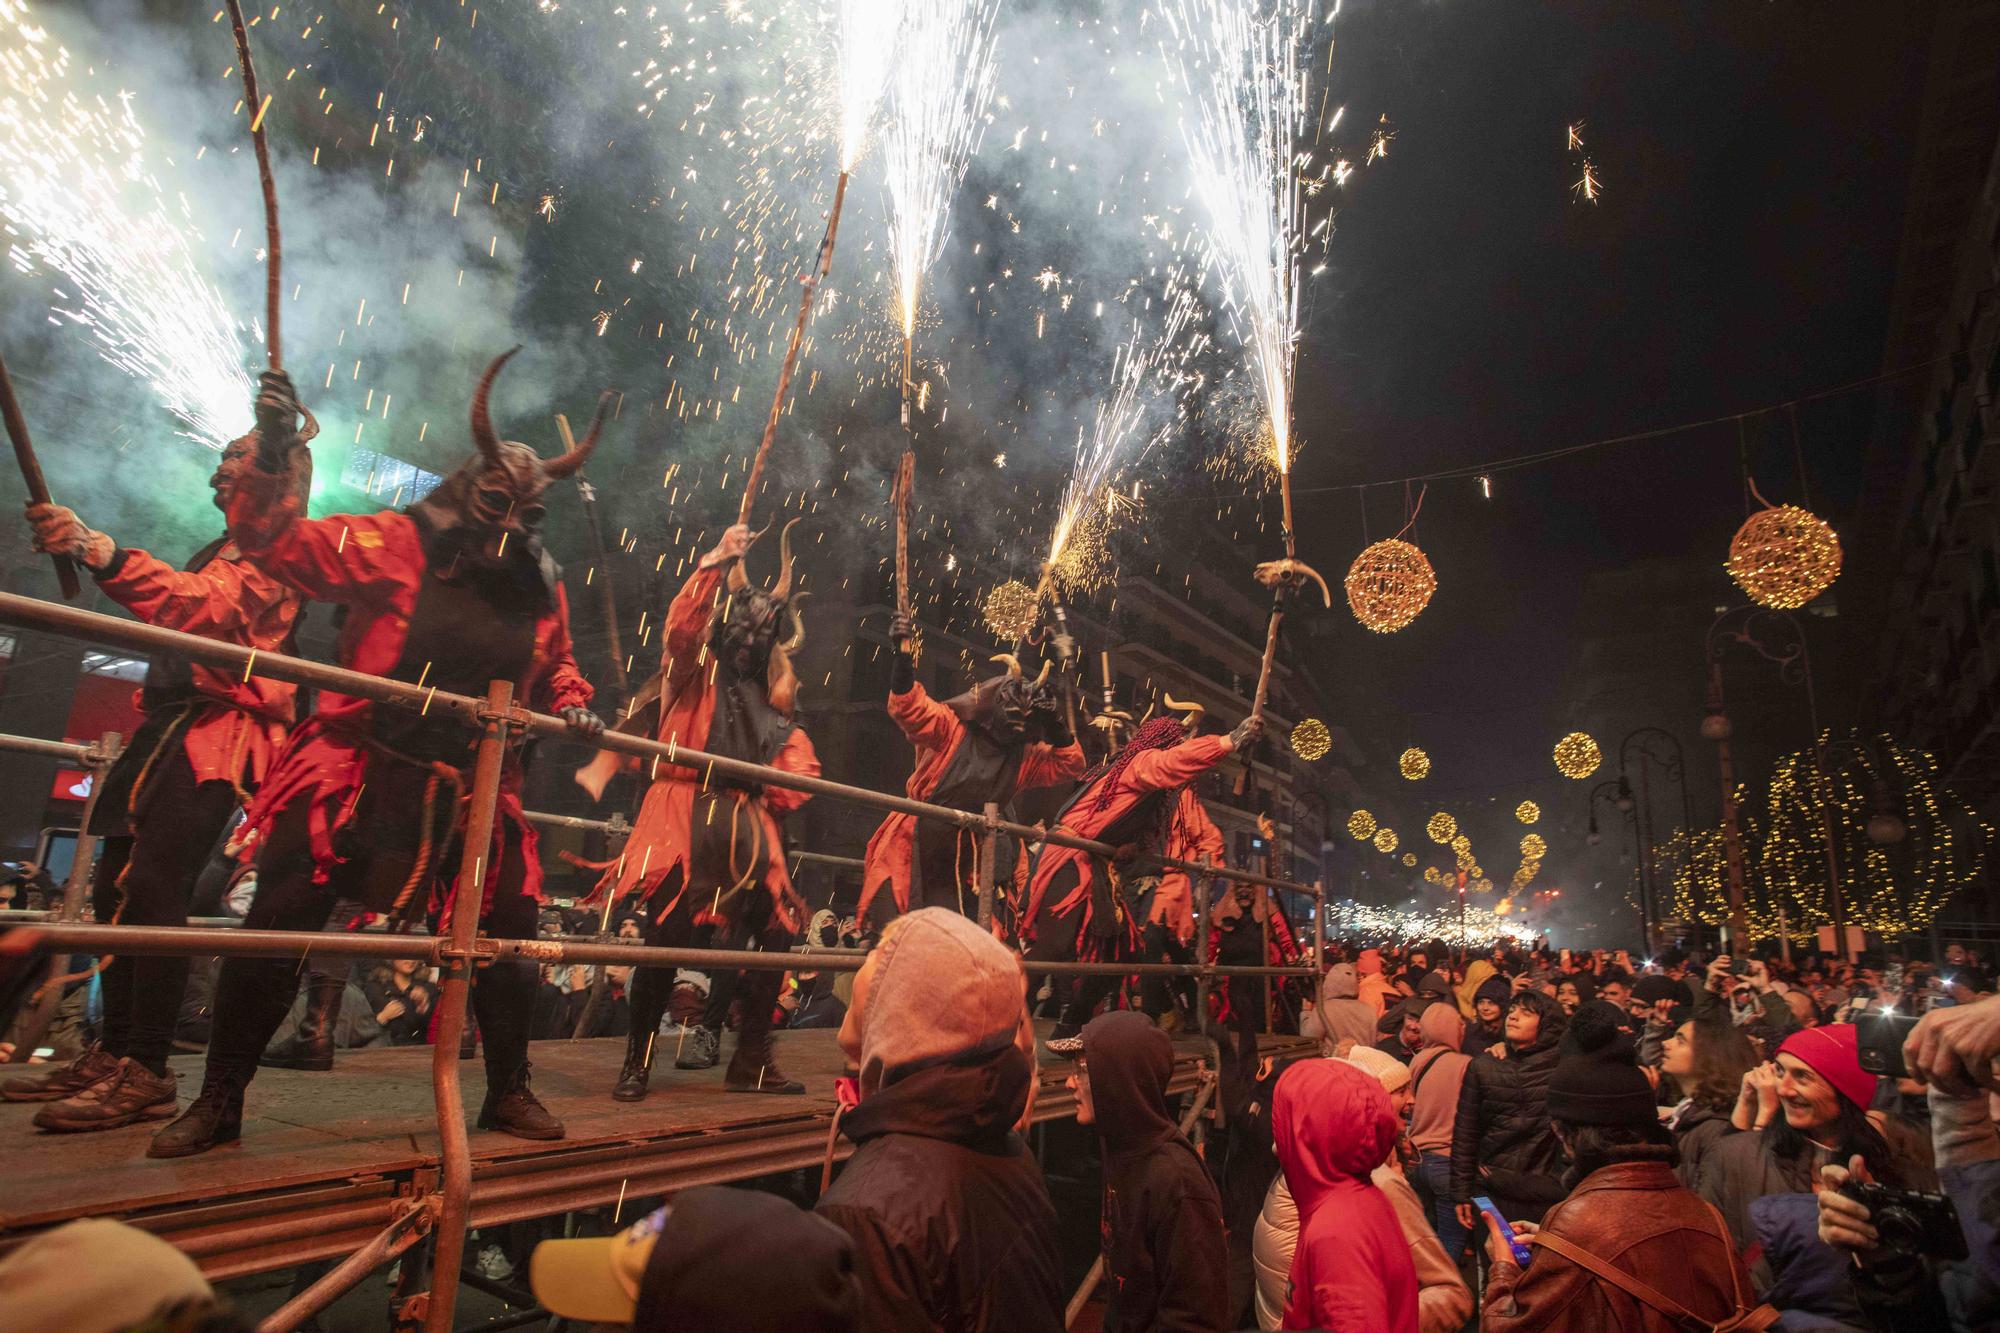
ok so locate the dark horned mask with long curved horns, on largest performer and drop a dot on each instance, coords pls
(497, 497)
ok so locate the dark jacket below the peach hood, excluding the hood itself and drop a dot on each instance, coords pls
(951, 1220)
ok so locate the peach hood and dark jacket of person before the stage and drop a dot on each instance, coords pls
(951, 1220)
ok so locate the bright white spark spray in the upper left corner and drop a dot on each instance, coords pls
(81, 195)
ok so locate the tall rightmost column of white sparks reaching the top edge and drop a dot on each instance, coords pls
(1241, 67)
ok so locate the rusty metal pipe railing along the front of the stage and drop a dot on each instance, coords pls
(457, 950)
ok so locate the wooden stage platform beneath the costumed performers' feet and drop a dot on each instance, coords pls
(327, 1156)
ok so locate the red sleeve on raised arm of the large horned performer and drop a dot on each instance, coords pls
(341, 559)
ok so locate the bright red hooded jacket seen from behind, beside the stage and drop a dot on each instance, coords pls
(1353, 1270)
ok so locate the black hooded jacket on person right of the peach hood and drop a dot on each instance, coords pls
(1161, 1216)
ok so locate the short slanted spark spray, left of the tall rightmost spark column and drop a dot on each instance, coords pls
(1107, 445)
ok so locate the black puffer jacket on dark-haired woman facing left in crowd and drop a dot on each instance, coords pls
(1501, 1142)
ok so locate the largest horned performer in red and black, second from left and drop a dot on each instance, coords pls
(367, 802)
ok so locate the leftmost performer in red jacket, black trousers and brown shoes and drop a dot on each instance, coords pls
(207, 742)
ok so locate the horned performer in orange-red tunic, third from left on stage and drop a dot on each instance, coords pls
(707, 852)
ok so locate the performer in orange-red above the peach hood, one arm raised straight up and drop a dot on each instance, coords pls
(973, 750)
